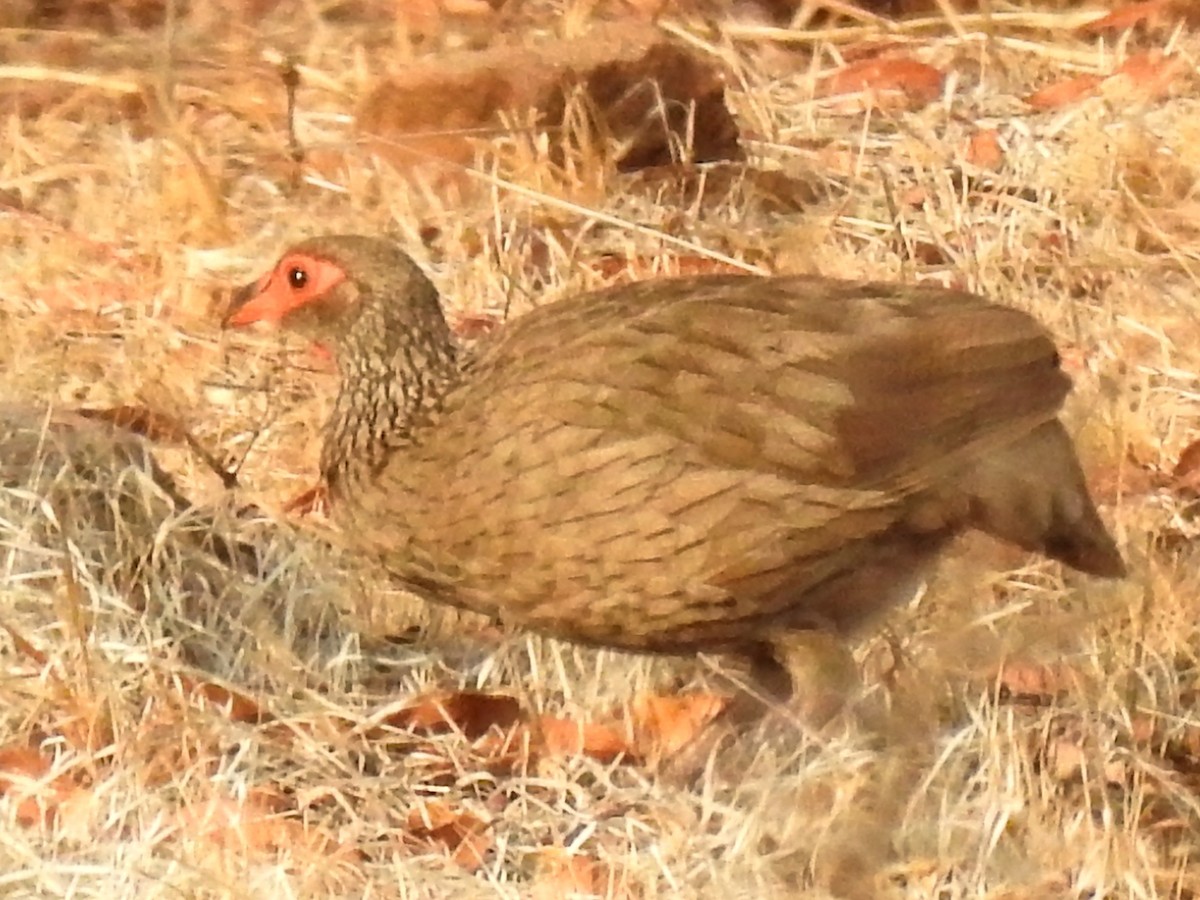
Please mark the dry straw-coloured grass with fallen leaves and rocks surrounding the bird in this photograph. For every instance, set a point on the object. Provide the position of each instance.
(212, 701)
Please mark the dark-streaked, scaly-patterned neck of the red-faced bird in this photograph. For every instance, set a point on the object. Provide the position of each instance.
(394, 377)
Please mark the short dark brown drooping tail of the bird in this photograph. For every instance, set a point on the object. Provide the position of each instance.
(1033, 494)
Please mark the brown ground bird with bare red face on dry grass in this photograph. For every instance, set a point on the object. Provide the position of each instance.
(710, 464)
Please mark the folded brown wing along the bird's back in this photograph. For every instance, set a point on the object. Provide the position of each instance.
(845, 385)
